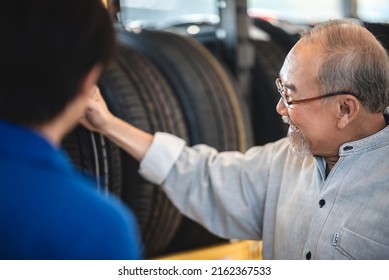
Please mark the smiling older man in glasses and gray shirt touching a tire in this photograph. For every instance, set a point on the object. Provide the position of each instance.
(322, 194)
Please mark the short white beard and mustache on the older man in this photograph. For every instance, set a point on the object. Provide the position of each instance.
(298, 145)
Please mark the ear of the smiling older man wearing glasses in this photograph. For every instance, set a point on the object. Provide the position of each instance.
(349, 107)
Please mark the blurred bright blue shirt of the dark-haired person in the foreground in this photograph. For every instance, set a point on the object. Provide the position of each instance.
(49, 211)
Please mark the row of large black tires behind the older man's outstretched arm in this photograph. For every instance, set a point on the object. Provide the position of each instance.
(160, 81)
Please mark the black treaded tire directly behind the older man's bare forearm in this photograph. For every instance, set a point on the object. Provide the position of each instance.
(136, 92)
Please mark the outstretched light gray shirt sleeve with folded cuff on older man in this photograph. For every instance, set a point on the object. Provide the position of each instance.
(225, 192)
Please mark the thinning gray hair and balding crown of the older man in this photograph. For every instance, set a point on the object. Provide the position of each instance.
(352, 60)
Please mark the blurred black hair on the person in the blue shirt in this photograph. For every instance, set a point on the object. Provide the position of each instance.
(48, 48)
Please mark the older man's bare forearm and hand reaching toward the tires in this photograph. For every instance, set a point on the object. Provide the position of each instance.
(98, 118)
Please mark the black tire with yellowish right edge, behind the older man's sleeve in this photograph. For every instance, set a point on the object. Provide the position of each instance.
(214, 112)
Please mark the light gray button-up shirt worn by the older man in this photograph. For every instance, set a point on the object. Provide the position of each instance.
(288, 202)
